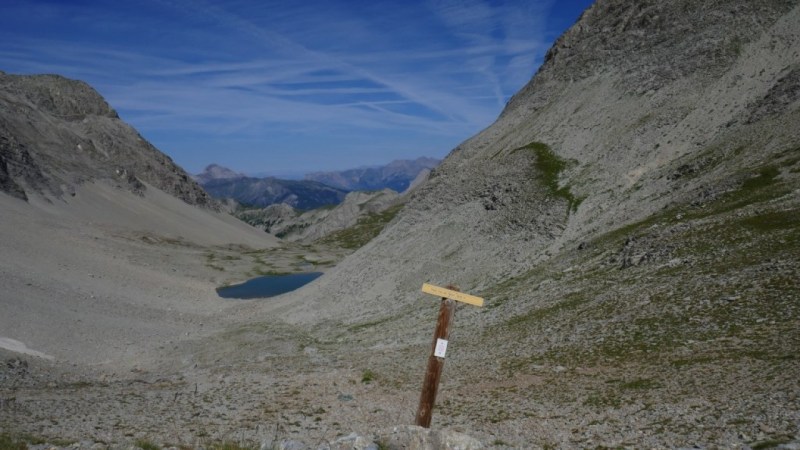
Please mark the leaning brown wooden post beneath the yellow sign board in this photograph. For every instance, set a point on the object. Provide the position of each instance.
(435, 364)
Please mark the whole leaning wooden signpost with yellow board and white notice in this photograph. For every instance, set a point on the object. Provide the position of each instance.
(439, 347)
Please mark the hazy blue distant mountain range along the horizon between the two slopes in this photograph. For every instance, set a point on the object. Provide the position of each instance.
(317, 190)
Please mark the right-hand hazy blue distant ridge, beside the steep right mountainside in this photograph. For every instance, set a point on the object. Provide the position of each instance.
(397, 175)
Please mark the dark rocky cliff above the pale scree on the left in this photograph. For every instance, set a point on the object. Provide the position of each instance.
(57, 133)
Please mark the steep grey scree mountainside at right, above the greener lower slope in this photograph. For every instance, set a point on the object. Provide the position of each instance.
(664, 120)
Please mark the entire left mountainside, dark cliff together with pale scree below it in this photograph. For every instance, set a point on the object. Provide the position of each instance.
(98, 229)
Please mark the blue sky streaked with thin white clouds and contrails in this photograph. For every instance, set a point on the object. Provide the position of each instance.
(290, 87)
